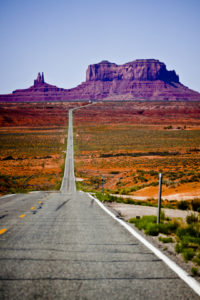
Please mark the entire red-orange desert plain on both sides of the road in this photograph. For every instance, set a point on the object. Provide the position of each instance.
(125, 143)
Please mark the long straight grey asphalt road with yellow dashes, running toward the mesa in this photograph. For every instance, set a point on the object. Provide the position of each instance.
(62, 245)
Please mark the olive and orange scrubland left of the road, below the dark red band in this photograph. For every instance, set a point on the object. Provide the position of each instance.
(31, 159)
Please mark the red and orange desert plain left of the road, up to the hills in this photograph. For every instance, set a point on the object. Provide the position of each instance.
(32, 140)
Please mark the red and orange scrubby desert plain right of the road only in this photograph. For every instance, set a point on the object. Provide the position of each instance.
(129, 143)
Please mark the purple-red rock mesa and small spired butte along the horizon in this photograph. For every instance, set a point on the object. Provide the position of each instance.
(142, 79)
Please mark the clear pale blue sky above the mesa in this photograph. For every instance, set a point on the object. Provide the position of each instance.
(62, 37)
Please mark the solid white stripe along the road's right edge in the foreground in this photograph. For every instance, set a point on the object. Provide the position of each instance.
(172, 265)
